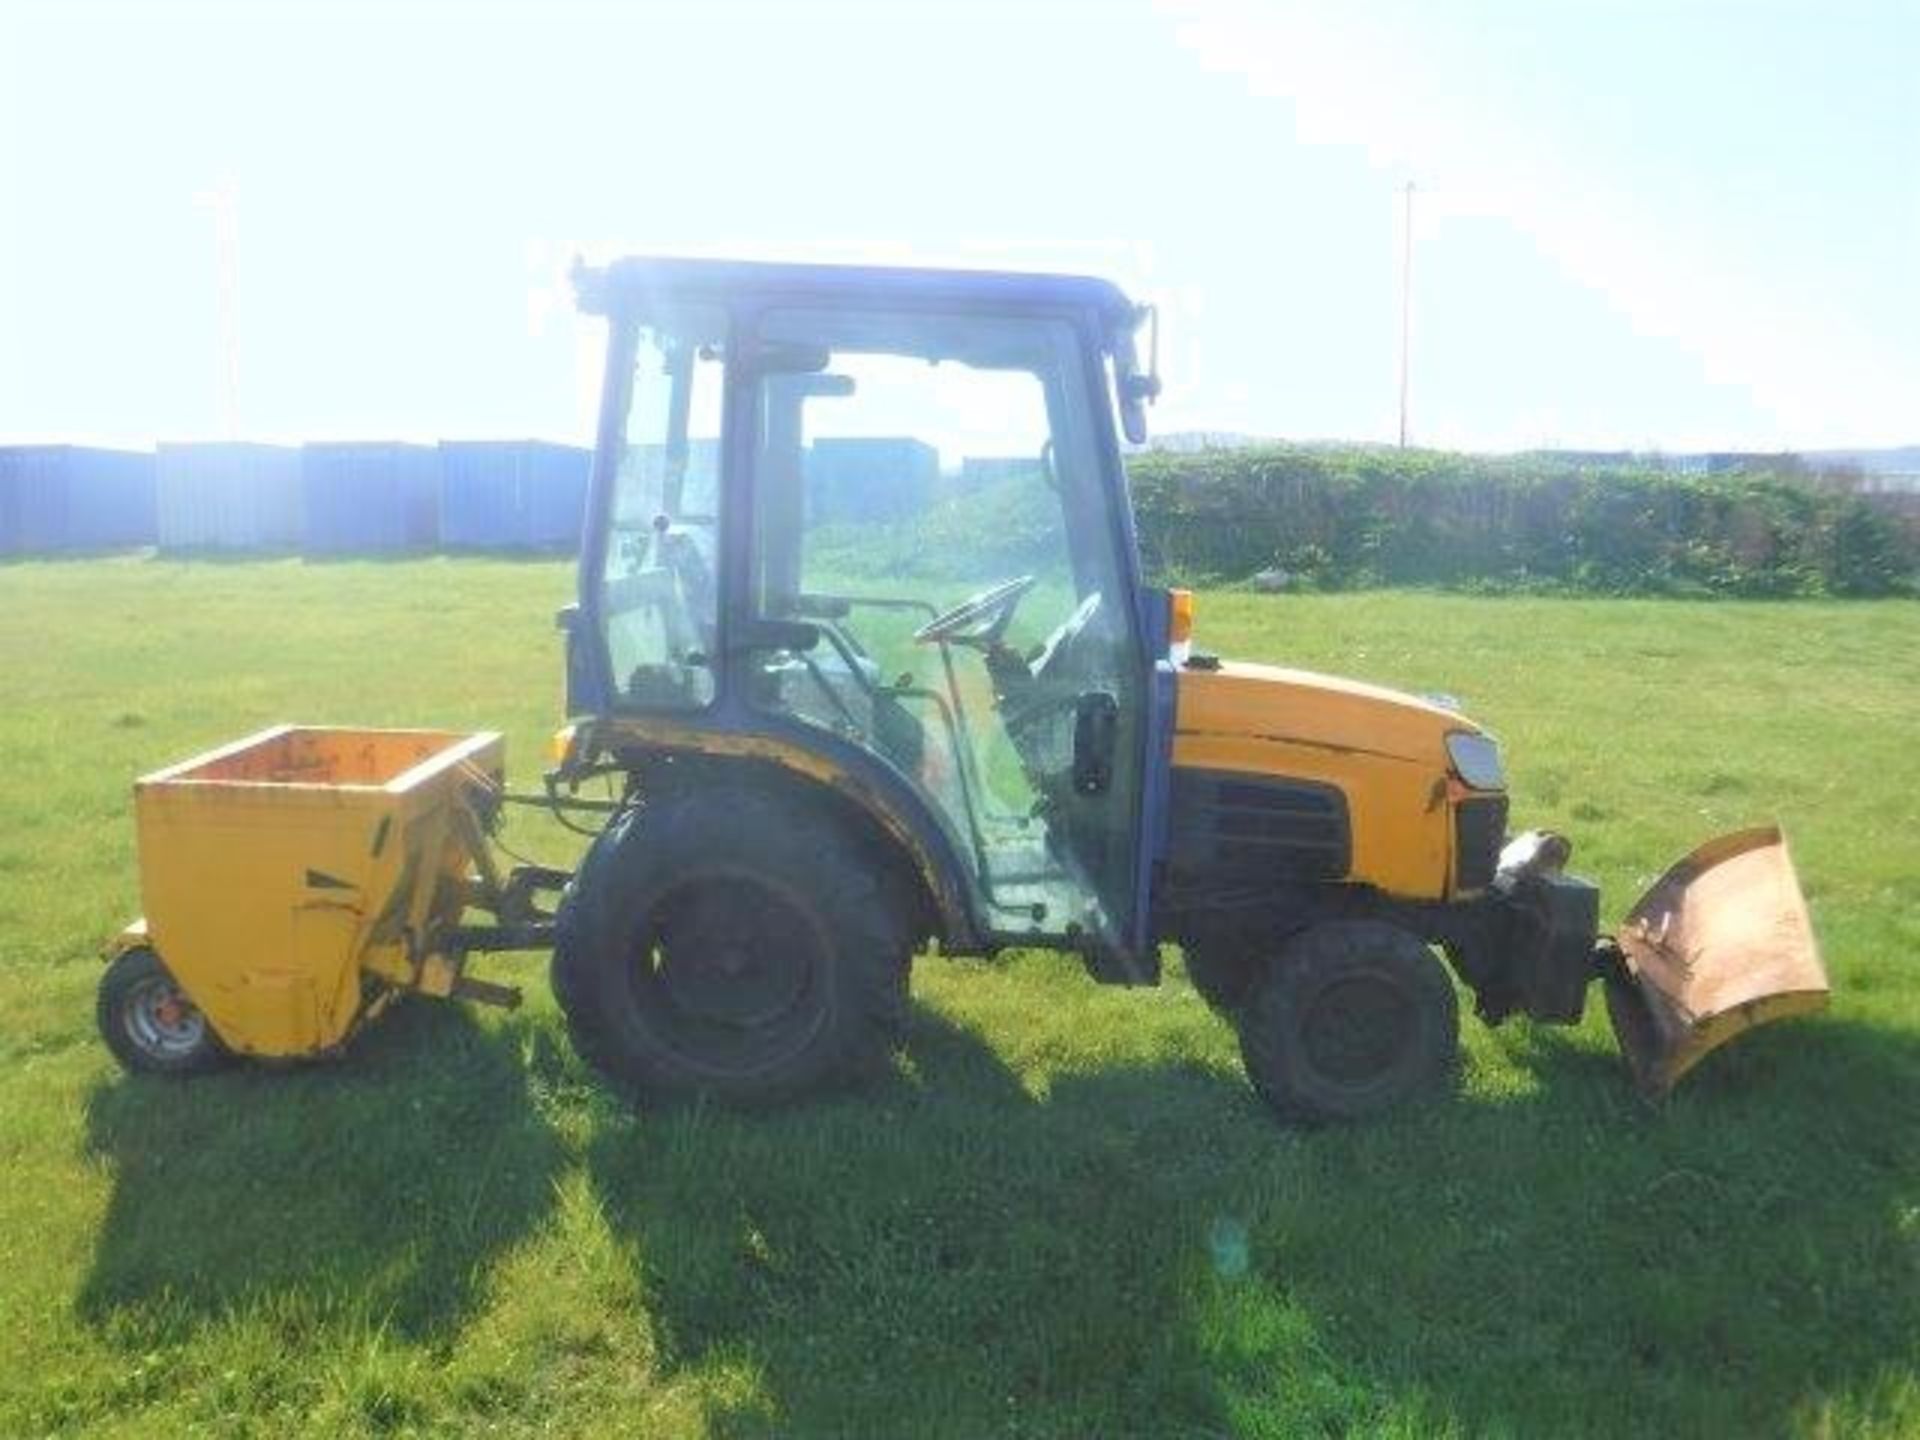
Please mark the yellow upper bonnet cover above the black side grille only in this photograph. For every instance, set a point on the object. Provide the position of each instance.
(1266, 702)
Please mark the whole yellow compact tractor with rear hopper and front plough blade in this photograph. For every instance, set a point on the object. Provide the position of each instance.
(865, 648)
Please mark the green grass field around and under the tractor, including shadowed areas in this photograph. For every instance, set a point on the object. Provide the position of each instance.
(1063, 1214)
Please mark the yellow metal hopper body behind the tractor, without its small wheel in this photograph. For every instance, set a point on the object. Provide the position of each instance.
(281, 869)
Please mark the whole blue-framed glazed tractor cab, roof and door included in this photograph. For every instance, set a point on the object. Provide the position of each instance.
(876, 521)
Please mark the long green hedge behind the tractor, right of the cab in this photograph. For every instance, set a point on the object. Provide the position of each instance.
(1337, 519)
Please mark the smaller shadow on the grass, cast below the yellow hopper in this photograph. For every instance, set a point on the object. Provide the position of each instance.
(373, 1188)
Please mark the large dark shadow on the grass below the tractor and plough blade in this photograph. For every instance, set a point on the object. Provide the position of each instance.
(1140, 1251)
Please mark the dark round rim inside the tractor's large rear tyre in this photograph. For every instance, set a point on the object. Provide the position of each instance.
(731, 974)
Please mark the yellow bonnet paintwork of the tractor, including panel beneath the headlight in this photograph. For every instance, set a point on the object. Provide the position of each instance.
(1385, 752)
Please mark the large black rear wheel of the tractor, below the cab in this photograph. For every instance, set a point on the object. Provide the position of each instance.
(731, 944)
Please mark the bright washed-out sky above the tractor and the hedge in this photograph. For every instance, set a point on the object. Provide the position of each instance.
(1654, 226)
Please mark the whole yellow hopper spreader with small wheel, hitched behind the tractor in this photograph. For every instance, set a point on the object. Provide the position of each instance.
(302, 878)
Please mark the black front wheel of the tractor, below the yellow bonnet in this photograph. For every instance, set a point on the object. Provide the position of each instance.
(1349, 1020)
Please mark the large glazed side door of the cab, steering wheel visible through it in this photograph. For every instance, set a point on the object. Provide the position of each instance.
(938, 567)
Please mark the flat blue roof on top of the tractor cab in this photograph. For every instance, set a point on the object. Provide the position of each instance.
(633, 281)
